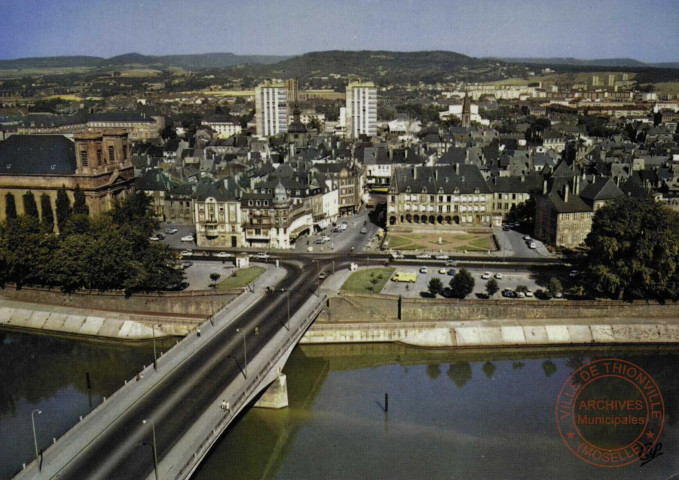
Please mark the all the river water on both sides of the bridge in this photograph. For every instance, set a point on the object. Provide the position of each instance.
(451, 415)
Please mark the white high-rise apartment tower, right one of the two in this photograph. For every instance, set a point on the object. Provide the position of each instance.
(361, 110)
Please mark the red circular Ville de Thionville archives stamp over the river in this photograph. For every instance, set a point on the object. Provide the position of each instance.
(610, 413)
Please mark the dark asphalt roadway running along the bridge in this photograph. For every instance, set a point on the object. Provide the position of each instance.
(124, 450)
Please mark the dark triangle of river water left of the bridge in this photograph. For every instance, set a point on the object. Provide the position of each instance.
(49, 374)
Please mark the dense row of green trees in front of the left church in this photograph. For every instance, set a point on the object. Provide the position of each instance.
(108, 252)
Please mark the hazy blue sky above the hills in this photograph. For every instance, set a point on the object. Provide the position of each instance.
(647, 30)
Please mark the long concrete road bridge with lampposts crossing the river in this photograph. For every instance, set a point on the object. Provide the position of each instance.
(163, 422)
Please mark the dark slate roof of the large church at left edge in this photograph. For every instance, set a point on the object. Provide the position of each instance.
(37, 155)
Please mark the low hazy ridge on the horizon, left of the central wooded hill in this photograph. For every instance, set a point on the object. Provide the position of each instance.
(189, 62)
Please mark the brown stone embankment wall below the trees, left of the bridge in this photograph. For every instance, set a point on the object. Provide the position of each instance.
(198, 303)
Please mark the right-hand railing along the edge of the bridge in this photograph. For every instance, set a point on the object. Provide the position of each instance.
(291, 339)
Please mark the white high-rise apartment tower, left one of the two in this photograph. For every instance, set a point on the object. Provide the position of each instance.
(271, 109)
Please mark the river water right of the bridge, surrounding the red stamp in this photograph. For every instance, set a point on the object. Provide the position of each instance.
(492, 415)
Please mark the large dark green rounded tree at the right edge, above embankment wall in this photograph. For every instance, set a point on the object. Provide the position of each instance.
(633, 251)
